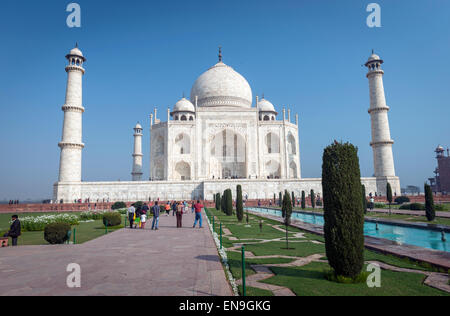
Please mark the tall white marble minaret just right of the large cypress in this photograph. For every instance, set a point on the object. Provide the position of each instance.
(381, 135)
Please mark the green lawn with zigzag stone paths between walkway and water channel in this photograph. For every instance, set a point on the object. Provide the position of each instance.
(310, 279)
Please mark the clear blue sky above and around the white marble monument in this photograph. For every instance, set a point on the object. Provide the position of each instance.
(305, 55)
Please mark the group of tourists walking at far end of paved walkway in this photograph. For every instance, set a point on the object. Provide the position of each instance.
(137, 216)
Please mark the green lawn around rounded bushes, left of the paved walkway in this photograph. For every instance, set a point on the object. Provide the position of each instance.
(84, 231)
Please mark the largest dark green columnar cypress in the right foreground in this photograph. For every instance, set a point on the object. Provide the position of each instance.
(343, 214)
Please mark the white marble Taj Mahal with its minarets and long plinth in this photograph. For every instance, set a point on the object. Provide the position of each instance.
(220, 137)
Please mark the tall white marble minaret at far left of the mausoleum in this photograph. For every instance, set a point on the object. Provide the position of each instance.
(71, 143)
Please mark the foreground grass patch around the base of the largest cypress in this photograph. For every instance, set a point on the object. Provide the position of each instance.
(309, 280)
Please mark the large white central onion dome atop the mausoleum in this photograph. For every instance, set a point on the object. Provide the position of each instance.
(222, 86)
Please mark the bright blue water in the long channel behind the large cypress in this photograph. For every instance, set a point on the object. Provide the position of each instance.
(403, 235)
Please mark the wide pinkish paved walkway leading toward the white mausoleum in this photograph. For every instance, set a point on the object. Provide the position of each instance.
(170, 261)
